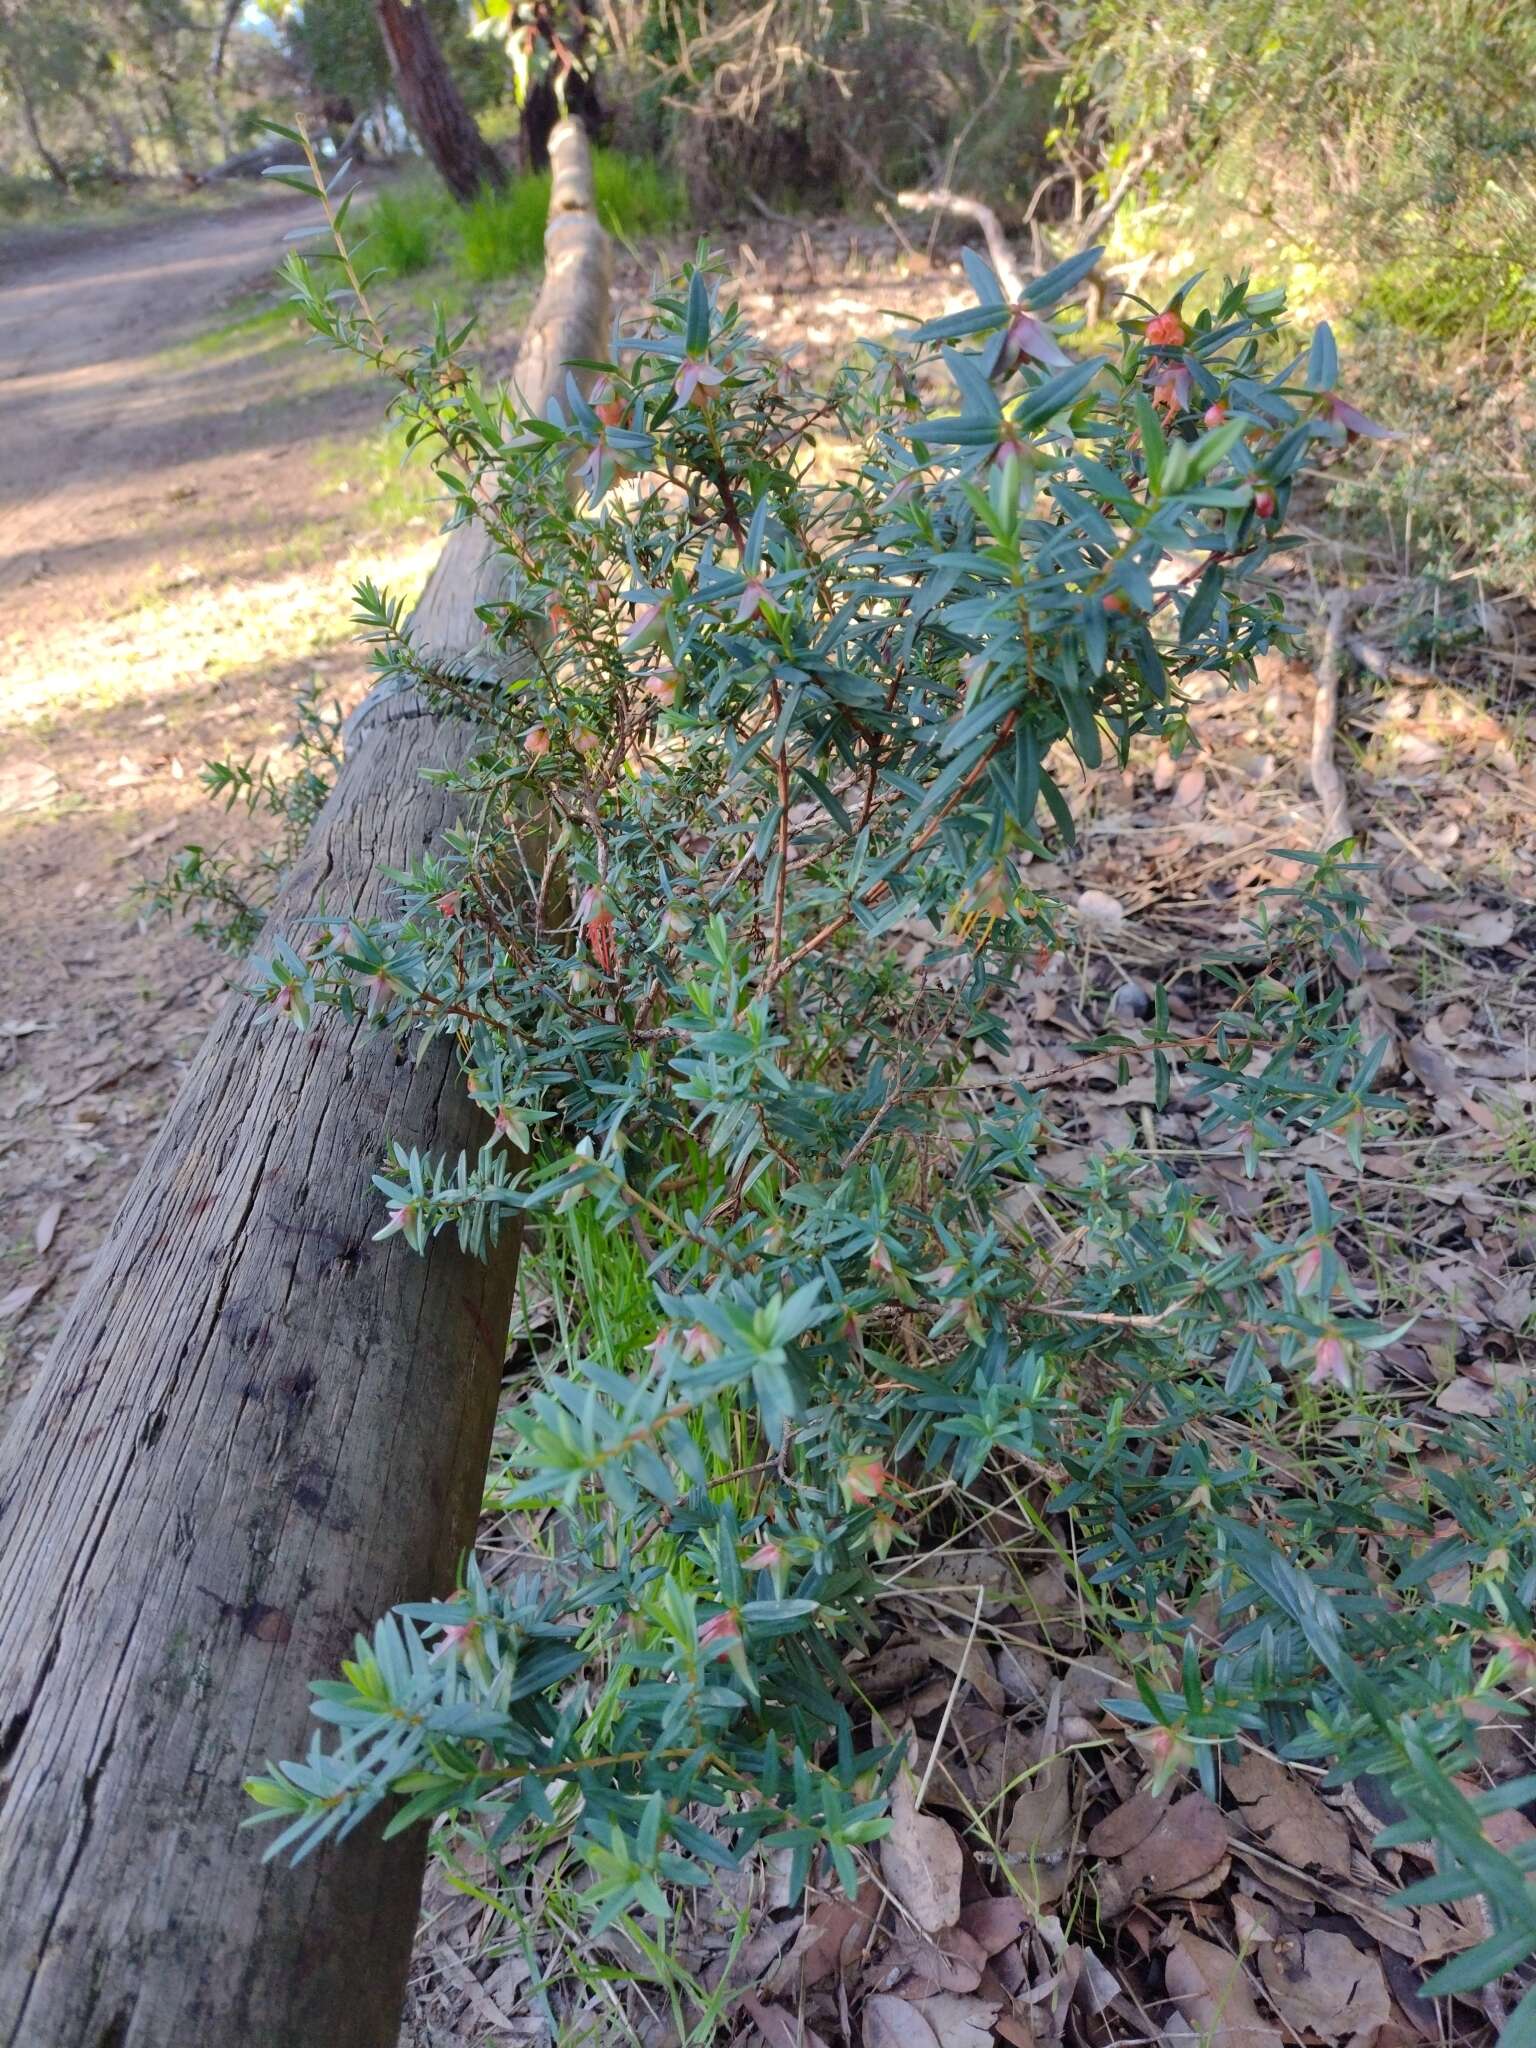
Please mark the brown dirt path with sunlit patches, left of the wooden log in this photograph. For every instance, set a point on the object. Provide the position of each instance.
(175, 558)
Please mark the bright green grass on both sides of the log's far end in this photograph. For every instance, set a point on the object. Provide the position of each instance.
(503, 234)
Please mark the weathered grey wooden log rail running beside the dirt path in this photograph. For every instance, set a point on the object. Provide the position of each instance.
(257, 1431)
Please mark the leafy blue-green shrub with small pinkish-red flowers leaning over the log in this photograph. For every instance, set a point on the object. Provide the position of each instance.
(785, 683)
